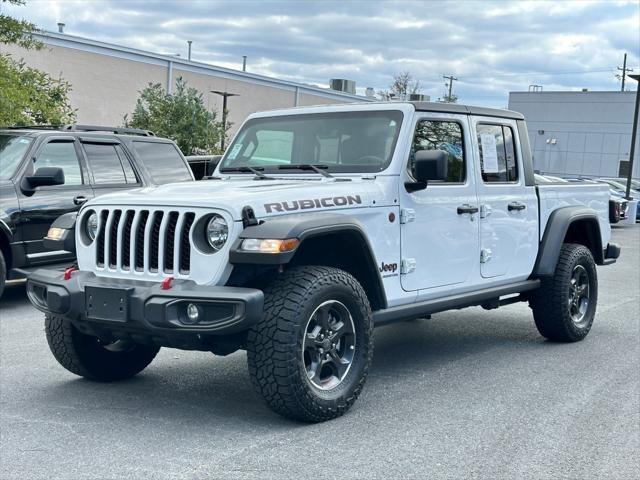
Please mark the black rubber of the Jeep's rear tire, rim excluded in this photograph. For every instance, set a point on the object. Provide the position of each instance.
(550, 303)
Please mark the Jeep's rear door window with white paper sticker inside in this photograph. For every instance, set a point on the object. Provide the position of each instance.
(497, 153)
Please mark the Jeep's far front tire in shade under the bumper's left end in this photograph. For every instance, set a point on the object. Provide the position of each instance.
(85, 356)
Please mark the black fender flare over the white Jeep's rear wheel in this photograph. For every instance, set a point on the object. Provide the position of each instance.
(555, 232)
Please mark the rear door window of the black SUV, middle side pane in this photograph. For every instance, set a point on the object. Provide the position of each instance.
(109, 164)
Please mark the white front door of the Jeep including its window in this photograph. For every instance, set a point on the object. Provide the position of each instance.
(439, 231)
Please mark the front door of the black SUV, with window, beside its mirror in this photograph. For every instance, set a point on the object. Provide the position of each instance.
(39, 208)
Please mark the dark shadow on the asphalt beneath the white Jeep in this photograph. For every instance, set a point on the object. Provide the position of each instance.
(213, 391)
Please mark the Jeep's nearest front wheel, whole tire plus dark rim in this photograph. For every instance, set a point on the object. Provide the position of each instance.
(310, 353)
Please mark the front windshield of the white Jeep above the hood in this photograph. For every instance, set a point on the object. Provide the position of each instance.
(344, 142)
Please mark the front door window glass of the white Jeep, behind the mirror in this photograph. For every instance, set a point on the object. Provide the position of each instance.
(441, 135)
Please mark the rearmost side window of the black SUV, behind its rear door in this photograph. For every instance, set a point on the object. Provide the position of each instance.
(163, 162)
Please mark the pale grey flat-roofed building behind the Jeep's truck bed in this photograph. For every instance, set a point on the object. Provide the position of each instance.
(579, 133)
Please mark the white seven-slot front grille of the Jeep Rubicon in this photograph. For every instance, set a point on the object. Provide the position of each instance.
(149, 241)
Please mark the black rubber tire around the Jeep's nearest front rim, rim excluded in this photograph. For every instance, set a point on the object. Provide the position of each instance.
(275, 343)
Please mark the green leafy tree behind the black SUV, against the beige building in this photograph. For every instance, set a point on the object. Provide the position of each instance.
(180, 116)
